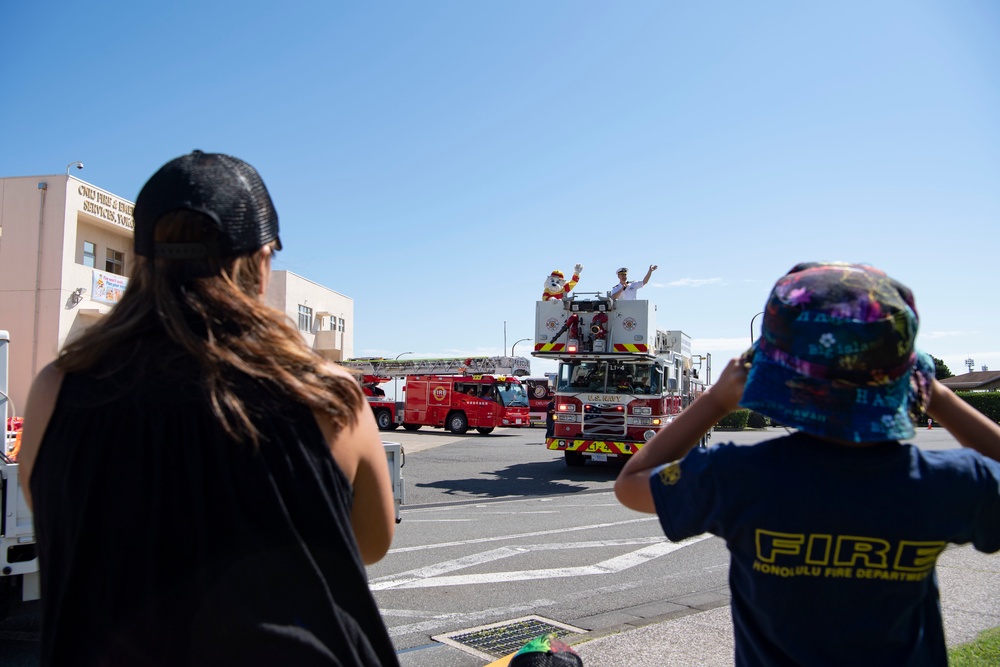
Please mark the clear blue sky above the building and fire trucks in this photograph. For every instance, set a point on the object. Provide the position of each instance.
(435, 161)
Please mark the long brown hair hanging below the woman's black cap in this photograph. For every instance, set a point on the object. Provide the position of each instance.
(211, 311)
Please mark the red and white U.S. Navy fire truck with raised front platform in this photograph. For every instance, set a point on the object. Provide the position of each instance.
(620, 379)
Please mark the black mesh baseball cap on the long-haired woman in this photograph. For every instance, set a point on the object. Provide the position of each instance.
(225, 189)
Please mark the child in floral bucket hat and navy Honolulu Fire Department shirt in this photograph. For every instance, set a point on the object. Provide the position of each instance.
(833, 530)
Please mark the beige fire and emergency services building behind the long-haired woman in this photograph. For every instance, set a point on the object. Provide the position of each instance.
(65, 257)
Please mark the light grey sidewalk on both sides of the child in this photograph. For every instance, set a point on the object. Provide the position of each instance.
(969, 582)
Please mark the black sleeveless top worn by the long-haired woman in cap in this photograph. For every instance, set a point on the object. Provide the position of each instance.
(162, 541)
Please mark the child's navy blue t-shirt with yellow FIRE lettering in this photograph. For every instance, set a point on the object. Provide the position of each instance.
(832, 547)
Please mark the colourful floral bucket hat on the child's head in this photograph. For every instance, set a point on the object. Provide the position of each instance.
(836, 355)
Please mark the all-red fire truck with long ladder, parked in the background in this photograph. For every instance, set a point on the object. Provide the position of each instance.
(455, 393)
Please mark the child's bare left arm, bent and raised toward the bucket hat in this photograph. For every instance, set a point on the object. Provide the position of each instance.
(677, 439)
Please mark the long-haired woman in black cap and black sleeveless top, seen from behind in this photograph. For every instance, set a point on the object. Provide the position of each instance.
(206, 489)
